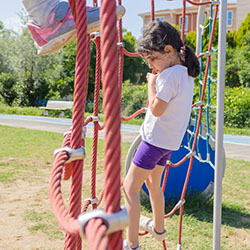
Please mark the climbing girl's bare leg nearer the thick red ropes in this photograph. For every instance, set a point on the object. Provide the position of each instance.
(132, 185)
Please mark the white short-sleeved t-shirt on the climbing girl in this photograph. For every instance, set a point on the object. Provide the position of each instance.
(174, 86)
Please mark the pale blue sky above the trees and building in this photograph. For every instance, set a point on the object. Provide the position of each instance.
(131, 21)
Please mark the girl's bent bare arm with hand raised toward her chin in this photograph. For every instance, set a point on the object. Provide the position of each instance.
(156, 105)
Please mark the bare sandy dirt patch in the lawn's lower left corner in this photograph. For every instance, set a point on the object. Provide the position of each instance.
(15, 200)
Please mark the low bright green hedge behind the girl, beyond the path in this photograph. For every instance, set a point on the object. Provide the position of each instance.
(237, 103)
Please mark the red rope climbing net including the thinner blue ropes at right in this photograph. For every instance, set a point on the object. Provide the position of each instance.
(112, 70)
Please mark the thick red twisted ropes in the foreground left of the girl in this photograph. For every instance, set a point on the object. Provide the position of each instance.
(74, 139)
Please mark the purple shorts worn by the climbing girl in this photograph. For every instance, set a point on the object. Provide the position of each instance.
(147, 156)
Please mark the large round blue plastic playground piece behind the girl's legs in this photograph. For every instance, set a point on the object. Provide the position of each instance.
(201, 179)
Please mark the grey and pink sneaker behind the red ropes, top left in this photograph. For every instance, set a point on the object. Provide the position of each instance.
(61, 30)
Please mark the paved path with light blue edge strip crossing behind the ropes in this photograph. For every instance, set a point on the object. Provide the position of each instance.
(236, 147)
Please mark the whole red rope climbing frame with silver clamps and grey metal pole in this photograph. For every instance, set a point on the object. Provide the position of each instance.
(103, 229)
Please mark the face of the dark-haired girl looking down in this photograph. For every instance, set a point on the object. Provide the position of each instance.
(158, 61)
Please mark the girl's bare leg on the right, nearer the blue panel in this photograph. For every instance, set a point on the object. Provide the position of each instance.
(157, 199)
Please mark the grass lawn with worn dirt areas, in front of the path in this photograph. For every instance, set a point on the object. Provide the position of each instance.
(26, 220)
